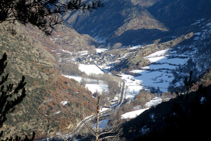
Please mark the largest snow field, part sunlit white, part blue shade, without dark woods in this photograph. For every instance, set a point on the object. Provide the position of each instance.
(157, 75)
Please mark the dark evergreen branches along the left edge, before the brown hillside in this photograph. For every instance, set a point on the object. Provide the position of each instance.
(10, 96)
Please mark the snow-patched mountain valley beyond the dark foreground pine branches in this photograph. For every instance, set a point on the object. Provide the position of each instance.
(135, 54)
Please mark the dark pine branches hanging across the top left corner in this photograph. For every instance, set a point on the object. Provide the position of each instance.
(43, 14)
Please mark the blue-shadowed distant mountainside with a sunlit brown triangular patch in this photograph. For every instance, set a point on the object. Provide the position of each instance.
(133, 22)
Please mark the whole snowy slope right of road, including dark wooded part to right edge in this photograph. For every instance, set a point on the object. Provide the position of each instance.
(169, 67)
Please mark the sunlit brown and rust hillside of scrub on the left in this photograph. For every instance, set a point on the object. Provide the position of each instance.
(43, 110)
